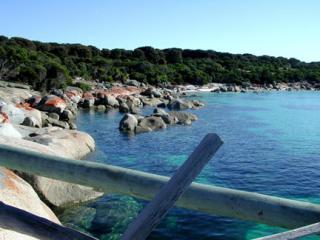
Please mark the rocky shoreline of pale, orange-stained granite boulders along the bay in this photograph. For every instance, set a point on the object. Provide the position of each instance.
(45, 123)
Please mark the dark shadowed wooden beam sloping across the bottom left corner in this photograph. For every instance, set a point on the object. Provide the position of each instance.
(21, 221)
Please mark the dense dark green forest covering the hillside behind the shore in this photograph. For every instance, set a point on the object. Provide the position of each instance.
(53, 65)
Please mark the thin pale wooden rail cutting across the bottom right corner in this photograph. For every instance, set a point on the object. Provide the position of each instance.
(295, 233)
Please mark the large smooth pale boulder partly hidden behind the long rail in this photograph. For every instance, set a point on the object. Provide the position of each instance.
(57, 142)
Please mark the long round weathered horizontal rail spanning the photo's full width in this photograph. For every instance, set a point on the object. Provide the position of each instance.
(256, 207)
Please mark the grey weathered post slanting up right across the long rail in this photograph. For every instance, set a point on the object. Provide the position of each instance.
(152, 214)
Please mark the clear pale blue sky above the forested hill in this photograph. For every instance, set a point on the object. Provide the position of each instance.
(289, 28)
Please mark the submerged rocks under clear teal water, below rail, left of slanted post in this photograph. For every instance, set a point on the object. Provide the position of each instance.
(107, 218)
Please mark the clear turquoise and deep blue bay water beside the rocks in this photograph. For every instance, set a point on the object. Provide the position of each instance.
(271, 146)
